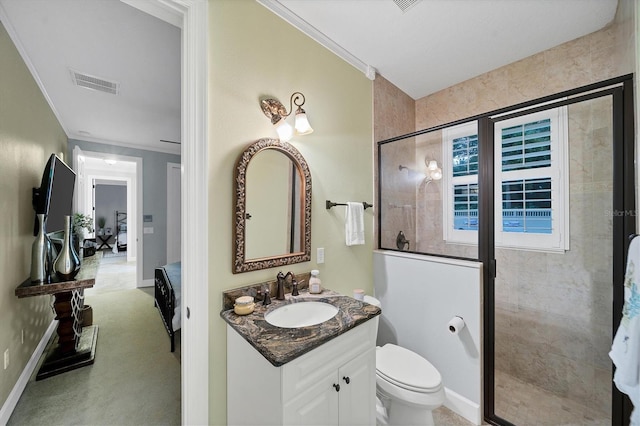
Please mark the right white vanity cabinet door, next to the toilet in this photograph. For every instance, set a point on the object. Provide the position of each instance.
(358, 390)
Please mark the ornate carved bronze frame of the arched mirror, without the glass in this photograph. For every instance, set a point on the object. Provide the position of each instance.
(240, 263)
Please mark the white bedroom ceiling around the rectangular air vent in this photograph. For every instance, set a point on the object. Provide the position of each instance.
(112, 41)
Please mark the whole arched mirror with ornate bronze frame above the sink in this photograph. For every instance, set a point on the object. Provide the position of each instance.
(272, 207)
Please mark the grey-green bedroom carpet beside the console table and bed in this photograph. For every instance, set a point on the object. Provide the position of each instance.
(135, 380)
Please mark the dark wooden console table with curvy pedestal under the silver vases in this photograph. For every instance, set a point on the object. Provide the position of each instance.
(73, 346)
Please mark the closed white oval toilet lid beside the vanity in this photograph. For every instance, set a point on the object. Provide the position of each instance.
(406, 369)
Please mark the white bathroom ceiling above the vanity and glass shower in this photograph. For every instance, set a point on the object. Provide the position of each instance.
(435, 44)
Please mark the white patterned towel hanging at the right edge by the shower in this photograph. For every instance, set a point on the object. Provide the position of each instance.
(625, 350)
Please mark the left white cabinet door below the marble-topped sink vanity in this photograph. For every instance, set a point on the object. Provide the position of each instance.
(316, 406)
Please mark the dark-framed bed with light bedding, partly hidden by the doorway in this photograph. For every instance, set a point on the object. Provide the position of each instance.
(167, 295)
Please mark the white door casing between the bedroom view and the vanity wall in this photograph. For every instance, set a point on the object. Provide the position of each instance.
(192, 16)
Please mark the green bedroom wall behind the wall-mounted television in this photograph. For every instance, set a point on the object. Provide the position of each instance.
(29, 134)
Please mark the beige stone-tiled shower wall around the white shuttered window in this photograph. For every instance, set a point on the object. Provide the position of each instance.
(568, 324)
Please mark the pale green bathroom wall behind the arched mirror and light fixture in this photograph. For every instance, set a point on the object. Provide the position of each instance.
(254, 53)
